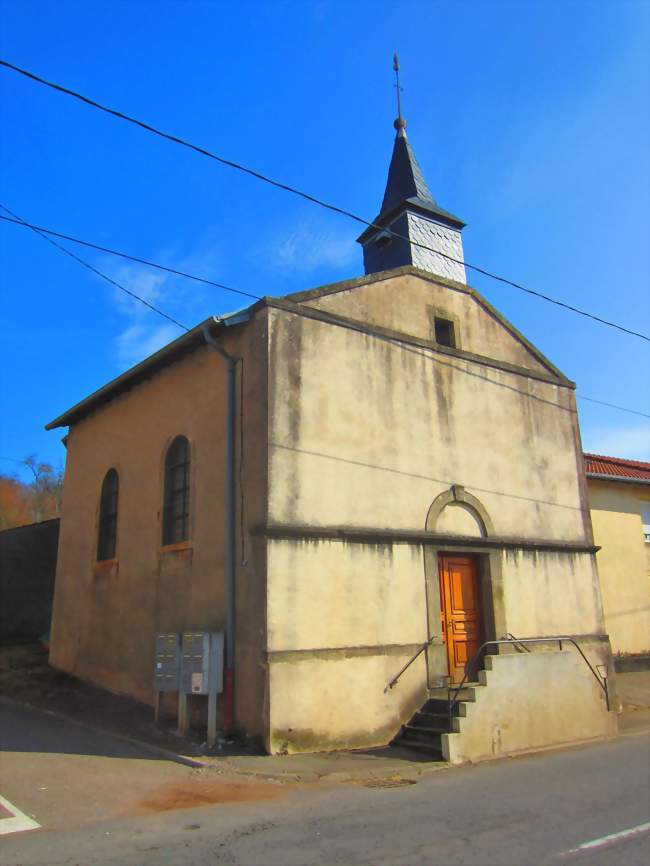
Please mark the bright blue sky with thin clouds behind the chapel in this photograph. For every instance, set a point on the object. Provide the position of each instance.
(530, 120)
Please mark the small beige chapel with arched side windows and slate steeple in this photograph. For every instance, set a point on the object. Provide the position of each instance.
(361, 485)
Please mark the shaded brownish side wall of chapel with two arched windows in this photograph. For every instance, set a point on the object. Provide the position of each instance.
(106, 616)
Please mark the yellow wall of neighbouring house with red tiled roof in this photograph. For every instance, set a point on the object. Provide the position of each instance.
(623, 562)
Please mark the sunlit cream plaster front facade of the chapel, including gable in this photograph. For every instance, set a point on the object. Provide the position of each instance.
(366, 432)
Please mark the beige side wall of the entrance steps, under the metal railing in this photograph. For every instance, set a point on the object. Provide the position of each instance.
(530, 701)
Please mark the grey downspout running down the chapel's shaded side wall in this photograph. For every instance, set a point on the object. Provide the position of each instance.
(231, 540)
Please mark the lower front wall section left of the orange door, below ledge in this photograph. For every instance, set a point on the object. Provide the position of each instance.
(342, 620)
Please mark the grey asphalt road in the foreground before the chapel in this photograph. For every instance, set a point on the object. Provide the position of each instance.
(520, 812)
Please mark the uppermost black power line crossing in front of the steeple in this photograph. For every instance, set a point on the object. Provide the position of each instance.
(313, 199)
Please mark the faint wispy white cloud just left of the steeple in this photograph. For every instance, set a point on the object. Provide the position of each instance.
(308, 245)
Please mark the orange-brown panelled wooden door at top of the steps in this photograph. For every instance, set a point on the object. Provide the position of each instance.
(460, 602)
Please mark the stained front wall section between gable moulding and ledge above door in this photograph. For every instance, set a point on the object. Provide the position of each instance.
(366, 432)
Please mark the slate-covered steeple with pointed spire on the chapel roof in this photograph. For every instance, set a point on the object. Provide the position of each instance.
(409, 210)
